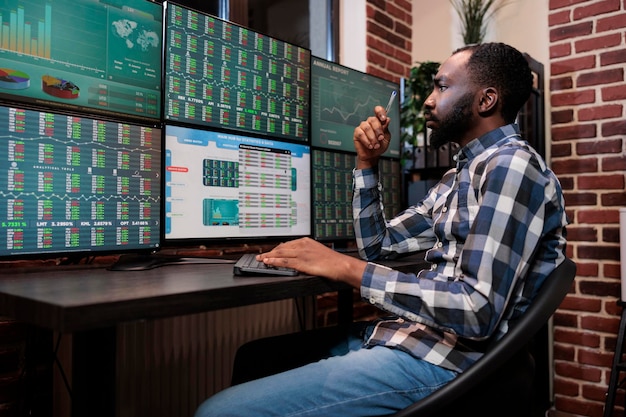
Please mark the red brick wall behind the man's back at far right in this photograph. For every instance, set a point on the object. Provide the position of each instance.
(588, 100)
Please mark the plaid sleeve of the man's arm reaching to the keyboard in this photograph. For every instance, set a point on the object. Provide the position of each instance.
(506, 207)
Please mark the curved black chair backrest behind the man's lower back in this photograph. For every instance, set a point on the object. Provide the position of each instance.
(548, 299)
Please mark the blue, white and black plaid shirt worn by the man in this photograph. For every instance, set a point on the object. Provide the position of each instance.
(494, 227)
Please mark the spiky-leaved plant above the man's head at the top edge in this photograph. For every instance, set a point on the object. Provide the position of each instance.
(474, 15)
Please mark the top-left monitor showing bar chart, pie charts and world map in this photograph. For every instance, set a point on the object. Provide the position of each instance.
(92, 56)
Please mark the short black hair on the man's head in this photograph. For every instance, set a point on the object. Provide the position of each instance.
(496, 64)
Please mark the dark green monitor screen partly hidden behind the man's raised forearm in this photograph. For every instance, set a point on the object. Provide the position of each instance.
(332, 192)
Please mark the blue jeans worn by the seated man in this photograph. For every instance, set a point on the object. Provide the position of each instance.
(359, 382)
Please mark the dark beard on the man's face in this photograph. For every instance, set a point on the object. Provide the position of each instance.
(453, 126)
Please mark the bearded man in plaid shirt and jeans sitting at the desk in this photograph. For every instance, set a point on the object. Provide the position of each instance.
(494, 229)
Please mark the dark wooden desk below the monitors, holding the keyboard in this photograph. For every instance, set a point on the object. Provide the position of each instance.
(90, 302)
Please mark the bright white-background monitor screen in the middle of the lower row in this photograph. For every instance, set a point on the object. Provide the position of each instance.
(222, 185)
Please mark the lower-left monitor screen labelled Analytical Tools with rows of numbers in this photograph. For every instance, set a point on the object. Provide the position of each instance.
(74, 185)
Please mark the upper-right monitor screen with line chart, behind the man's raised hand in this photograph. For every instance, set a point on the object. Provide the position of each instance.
(341, 98)
